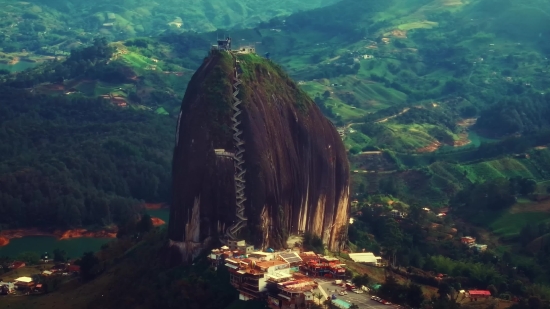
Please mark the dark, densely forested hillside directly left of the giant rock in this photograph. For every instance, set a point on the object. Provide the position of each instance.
(76, 161)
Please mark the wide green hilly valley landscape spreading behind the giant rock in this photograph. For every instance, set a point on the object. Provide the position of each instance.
(439, 103)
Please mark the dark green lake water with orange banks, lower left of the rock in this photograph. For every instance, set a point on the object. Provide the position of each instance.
(74, 247)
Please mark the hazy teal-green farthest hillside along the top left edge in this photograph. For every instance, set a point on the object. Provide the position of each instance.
(59, 25)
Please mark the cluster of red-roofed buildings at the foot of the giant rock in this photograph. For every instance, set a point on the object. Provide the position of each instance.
(282, 278)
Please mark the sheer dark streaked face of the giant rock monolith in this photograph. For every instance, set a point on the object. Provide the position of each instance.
(297, 173)
